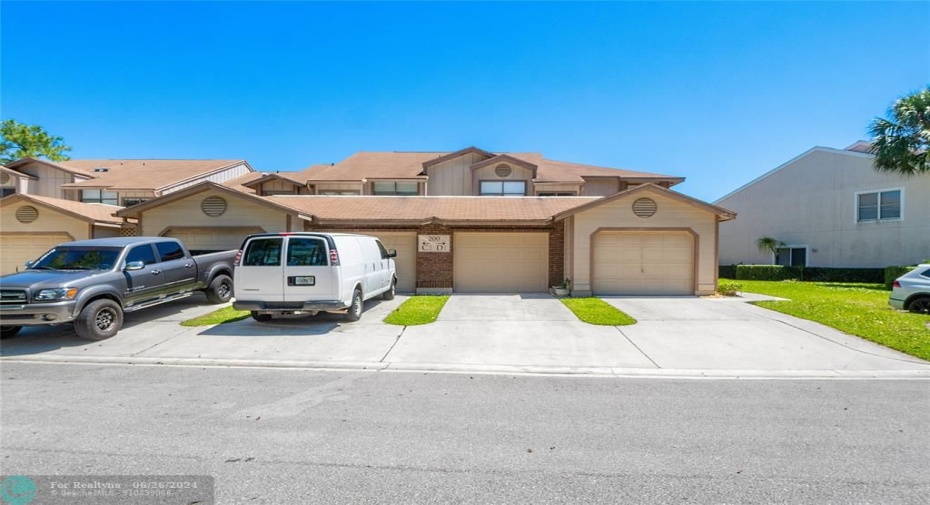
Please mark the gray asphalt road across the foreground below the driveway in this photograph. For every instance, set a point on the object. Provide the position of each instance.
(298, 436)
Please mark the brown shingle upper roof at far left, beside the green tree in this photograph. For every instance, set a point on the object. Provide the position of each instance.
(142, 174)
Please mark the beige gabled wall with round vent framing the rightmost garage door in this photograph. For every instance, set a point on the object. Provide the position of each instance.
(618, 214)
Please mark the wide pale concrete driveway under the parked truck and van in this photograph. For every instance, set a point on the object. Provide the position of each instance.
(494, 333)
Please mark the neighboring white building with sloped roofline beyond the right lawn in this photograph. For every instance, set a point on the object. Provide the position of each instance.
(830, 208)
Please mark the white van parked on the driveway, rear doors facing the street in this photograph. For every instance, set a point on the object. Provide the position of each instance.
(293, 273)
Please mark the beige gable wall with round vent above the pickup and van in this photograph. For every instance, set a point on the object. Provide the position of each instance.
(186, 212)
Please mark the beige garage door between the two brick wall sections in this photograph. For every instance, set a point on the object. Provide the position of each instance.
(500, 262)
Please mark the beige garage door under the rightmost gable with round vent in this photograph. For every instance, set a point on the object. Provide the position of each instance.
(643, 263)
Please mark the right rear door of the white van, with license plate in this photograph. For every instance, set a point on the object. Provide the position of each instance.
(307, 271)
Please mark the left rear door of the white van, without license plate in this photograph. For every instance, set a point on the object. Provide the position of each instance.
(258, 277)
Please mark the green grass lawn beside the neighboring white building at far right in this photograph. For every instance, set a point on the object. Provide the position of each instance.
(857, 309)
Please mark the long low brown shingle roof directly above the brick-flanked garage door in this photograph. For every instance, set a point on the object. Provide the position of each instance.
(425, 208)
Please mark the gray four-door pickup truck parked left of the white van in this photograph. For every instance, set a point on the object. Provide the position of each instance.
(93, 282)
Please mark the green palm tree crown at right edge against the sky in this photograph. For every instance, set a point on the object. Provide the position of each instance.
(900, 143)
